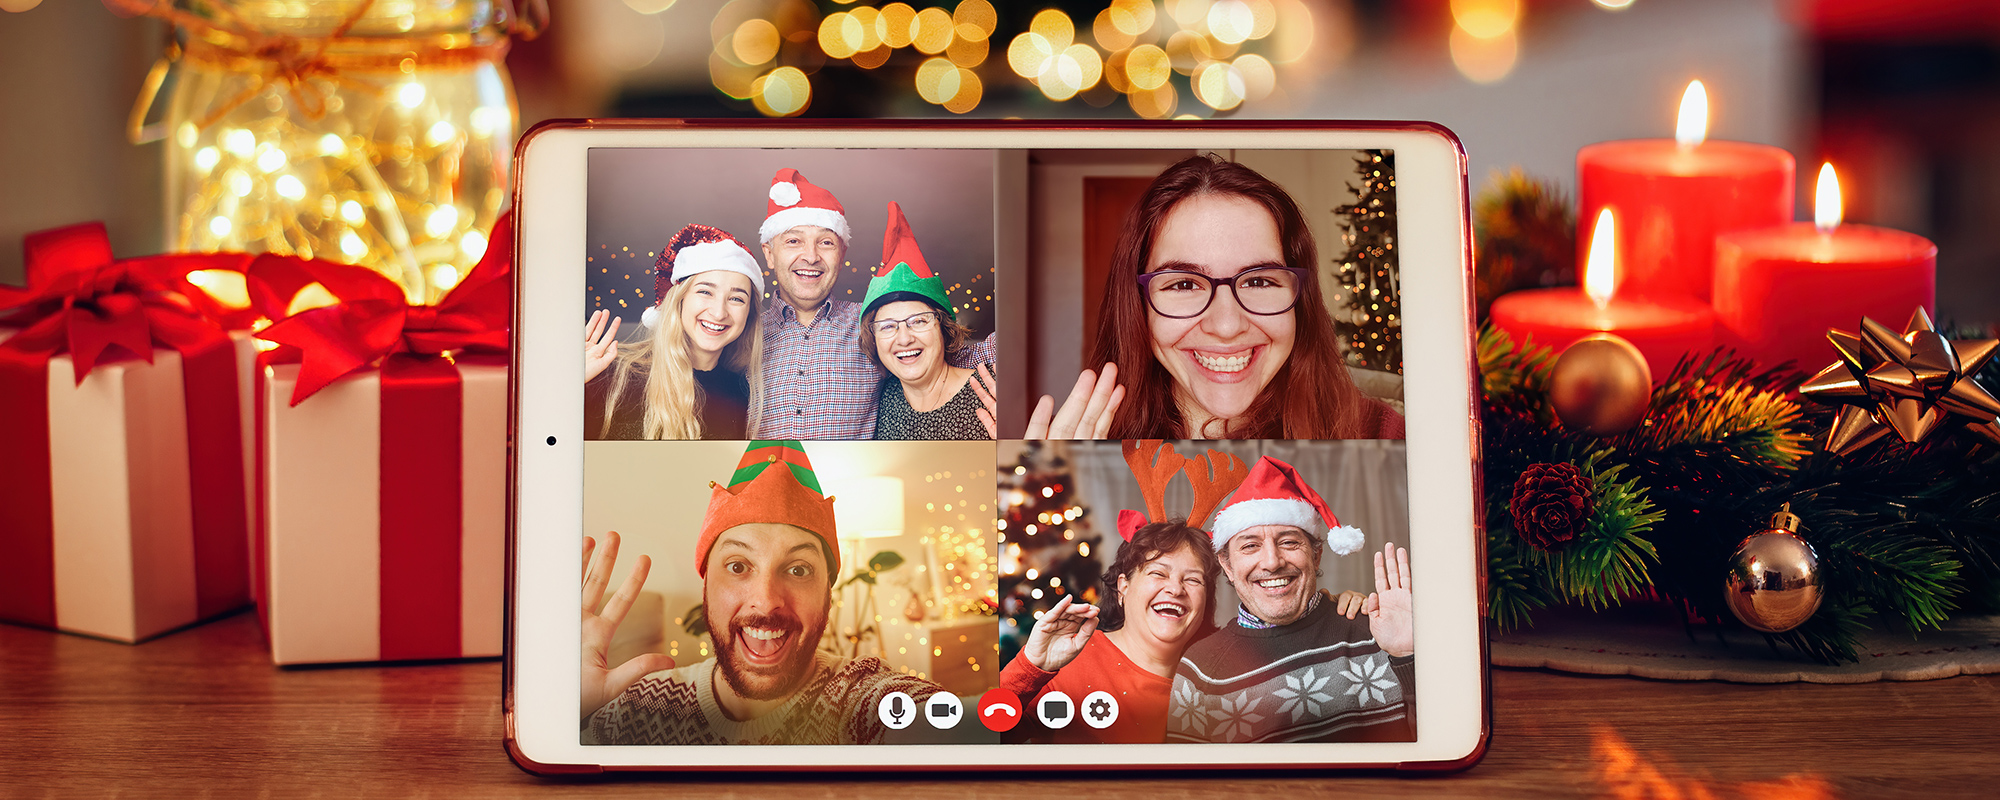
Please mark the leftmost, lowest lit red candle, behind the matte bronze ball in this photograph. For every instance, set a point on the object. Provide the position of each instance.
(1661, 327)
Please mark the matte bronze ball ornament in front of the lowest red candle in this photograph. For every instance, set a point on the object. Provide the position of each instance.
(1601, 385)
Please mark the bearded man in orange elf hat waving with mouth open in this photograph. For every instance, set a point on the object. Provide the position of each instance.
(767, 557)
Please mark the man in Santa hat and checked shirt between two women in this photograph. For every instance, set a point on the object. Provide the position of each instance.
(817, 379)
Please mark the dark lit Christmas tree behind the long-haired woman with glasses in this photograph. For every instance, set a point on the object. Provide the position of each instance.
(1371, 327)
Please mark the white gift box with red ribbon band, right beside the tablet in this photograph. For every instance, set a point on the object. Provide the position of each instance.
(383, 521)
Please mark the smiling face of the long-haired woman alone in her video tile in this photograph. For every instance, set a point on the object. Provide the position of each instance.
(1225, 357)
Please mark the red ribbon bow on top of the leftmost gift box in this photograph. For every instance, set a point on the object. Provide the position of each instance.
(99, 309)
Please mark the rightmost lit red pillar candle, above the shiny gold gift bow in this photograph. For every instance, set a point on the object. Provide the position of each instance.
(1781, 289)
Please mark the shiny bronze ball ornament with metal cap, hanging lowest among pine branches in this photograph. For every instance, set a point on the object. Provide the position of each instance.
(1775, 577)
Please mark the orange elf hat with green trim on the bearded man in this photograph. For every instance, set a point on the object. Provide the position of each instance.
(773, 483)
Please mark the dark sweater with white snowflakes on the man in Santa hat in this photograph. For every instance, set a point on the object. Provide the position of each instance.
(1321, 679)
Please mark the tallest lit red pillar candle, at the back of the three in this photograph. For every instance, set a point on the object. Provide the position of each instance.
(1677, 195)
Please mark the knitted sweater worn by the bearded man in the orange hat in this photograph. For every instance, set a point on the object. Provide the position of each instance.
(679, 707)
